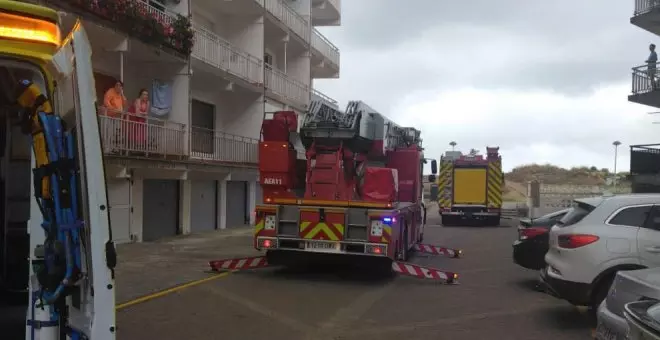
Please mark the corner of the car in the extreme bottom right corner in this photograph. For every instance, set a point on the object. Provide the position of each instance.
(643, 320)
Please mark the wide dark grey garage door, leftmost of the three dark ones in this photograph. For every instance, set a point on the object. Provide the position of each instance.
(161, 209)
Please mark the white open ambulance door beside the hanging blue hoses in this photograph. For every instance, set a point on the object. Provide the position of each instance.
(75, 101)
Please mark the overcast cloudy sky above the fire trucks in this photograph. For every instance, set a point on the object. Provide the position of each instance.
(547, 81)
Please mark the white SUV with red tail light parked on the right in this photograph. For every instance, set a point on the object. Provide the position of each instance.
(598, 237)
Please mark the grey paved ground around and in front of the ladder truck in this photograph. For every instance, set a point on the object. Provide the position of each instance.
(495, 297)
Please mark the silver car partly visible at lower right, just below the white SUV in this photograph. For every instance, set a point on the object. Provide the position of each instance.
(628, 286)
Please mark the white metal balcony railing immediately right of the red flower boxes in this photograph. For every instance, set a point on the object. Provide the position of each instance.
(215, 51)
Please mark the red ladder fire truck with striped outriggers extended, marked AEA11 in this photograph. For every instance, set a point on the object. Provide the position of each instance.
(357, 195)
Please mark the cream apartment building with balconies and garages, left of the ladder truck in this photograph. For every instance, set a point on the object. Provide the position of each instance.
(212, 69)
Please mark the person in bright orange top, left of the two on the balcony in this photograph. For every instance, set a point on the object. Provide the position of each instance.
(114, 102)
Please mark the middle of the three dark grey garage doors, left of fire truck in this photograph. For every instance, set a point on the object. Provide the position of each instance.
(203, 206)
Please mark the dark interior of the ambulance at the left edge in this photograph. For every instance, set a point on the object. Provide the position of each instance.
(15, 199)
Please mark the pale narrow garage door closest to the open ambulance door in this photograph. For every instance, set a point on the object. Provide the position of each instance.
(119, 201)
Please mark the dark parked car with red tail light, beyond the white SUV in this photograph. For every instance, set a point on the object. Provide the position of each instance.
(533, 240)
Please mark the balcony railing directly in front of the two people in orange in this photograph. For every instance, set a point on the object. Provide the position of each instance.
(131, 135)
